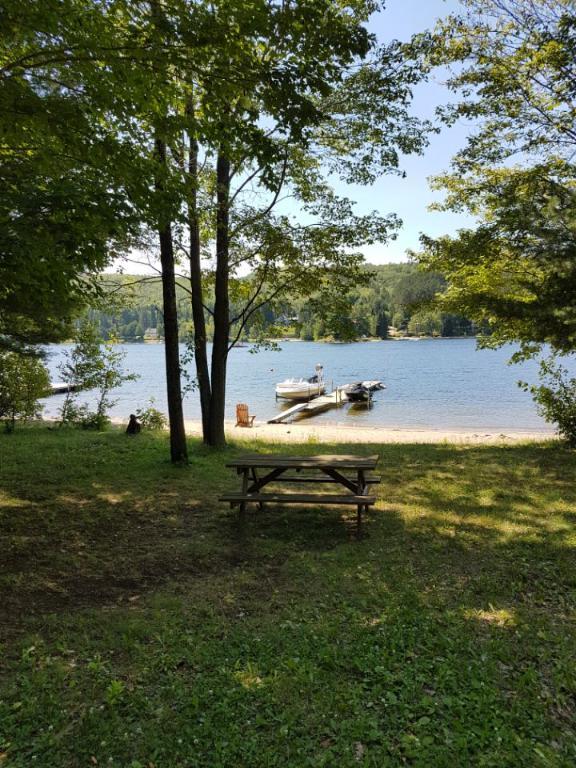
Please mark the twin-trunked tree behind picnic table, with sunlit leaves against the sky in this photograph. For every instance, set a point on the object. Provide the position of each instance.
(313, 107)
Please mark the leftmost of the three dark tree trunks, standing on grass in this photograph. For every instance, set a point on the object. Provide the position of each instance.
(178, 448)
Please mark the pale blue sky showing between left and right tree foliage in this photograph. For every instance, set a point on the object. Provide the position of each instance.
(410, 197)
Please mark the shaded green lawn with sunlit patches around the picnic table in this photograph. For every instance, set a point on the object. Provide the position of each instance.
(141, 628)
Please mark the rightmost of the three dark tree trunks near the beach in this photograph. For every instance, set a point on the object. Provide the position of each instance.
(216, 435)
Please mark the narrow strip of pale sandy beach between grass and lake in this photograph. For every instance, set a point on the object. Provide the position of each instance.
(337, 433)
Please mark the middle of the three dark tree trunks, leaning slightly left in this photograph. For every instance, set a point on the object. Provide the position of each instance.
(200, 352)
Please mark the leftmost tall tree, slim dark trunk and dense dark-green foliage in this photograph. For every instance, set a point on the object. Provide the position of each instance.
(84, 135)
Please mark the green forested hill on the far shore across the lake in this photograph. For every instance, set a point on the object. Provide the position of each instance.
(392, 303)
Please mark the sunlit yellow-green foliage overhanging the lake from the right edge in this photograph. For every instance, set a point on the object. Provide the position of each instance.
(514, 73)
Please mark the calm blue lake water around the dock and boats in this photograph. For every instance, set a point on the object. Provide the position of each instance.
(430, 383)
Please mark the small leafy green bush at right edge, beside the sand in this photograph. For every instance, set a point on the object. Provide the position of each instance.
(556, 398)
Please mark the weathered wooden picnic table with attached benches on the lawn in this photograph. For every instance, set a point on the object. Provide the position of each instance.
(350, 472)
